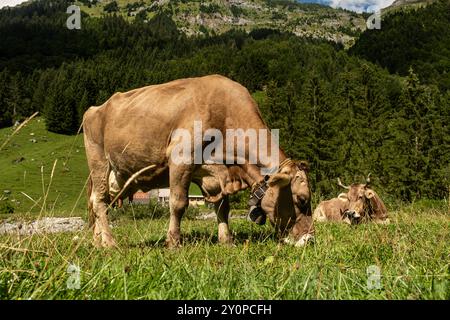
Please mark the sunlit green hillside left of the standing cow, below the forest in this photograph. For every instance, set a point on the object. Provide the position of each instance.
(27, 163)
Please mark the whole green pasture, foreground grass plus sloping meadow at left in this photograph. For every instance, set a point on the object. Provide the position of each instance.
(412, 253)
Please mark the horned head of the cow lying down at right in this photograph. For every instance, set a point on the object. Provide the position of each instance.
(359, 198)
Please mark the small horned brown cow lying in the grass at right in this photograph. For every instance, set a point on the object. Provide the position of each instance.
(360, 203)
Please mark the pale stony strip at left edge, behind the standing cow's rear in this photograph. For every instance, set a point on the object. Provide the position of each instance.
(43, 225)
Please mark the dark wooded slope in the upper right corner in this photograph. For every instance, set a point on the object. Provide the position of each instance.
(413, 38)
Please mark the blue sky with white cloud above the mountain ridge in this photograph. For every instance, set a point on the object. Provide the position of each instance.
(355, 5)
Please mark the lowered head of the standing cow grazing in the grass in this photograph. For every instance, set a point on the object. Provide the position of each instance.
(287, 202)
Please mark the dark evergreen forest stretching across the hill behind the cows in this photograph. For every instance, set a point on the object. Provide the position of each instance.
(343, 114)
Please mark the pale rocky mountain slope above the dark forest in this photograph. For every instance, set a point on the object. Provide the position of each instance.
(218, 16)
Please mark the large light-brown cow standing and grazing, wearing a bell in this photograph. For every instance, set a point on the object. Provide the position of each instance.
(132, 135)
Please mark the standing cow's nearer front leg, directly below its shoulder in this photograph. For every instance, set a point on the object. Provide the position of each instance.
(179, 178)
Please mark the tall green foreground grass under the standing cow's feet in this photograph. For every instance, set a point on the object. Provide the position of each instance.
(412, 253)
